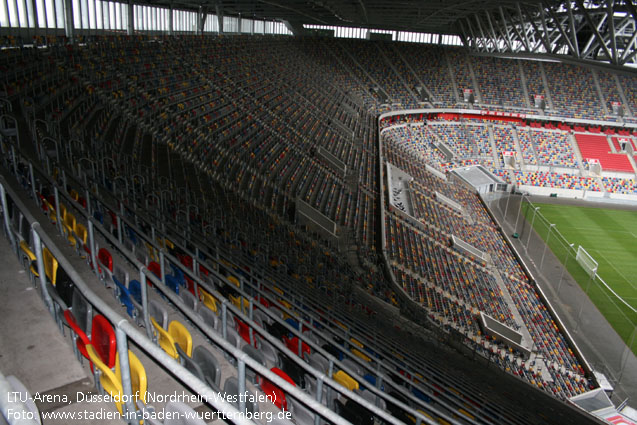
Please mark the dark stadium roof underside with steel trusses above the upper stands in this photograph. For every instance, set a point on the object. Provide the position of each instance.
(602, 30)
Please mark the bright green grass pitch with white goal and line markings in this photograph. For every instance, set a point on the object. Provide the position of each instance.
(610, 237)
